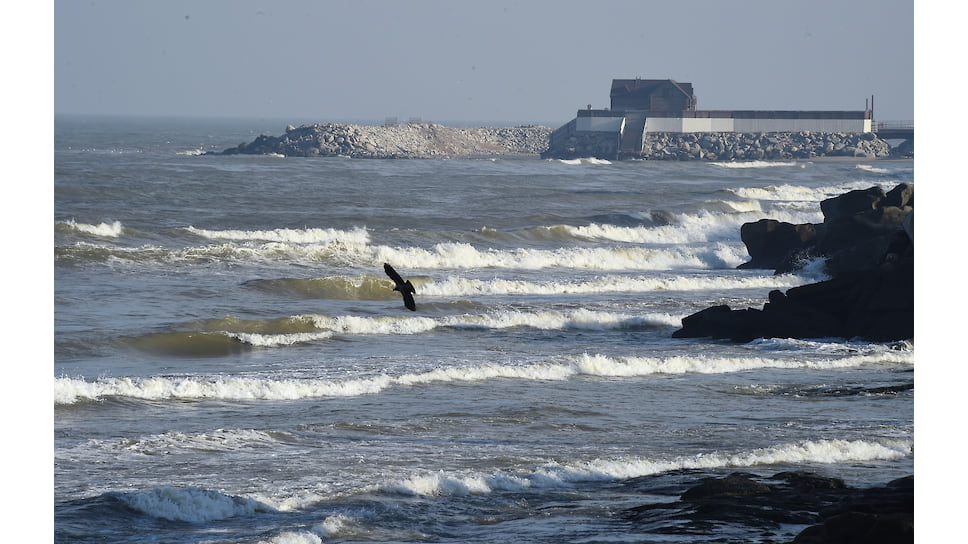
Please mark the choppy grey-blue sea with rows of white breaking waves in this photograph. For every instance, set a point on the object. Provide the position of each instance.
(231, 365)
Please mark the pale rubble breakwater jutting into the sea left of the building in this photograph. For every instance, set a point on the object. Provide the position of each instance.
(410, 141)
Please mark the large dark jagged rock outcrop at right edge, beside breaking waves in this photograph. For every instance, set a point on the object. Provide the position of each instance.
(867, 243)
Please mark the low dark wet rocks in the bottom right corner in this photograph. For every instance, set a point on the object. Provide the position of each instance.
(833, 511)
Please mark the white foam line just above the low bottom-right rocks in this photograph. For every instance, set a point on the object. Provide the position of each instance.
(565, 475)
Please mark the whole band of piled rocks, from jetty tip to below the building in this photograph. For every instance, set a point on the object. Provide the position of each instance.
(432, 140)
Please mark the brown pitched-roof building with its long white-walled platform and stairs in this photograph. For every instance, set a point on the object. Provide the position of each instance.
(640, 107)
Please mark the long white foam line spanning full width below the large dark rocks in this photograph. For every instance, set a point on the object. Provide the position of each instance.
(69, 390)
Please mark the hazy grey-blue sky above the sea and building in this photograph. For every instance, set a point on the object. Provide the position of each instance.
(474, 61)
